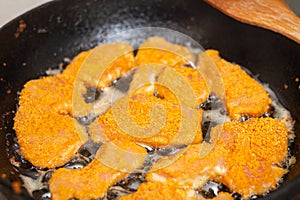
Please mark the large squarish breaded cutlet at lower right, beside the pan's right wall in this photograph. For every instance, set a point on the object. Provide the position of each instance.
(256, 149)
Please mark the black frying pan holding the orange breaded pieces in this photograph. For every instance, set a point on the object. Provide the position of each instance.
(61, 29)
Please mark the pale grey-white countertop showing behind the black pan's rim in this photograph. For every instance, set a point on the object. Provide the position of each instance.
(9, 9)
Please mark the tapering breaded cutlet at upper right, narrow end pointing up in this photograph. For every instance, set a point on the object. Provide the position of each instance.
(244, 96)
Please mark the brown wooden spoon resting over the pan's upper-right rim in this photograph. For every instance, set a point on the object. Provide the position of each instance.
(271, 14)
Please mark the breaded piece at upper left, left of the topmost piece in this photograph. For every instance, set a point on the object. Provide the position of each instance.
(117, 56)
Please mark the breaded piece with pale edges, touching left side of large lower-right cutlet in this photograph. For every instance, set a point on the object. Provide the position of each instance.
(189, 170)
